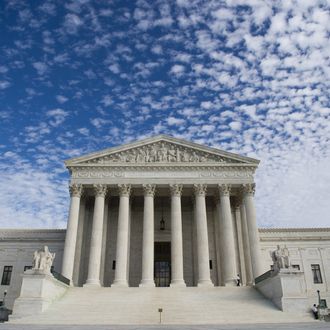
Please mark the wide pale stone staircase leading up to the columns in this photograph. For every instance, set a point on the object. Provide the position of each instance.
(192, 305)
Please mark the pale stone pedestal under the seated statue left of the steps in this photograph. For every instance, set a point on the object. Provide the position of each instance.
(39, 289)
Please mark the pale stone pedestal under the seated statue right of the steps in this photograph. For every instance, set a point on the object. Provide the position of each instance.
(286, 289)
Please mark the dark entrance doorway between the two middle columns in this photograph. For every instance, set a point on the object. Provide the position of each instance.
(162, 268)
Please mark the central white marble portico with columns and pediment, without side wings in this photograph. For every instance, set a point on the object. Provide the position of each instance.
(120, 195)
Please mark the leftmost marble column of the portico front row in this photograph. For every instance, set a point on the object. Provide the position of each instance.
(71, 232)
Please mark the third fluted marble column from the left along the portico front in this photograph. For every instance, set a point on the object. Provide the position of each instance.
(122, 237)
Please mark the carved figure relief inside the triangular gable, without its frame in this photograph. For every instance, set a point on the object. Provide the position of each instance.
(160, 152)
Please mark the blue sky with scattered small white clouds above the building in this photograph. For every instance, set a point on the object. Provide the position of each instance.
(250, 77)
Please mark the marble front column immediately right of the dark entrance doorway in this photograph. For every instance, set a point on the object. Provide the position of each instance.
(176, 236)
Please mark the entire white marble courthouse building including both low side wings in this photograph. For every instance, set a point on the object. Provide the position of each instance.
(165, 212)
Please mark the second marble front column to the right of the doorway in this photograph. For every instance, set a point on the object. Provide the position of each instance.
(204, 278)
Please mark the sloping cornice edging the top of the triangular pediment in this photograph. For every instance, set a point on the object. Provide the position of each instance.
(100, 153)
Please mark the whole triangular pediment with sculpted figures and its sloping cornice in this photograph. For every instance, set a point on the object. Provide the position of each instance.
(158, 150)
